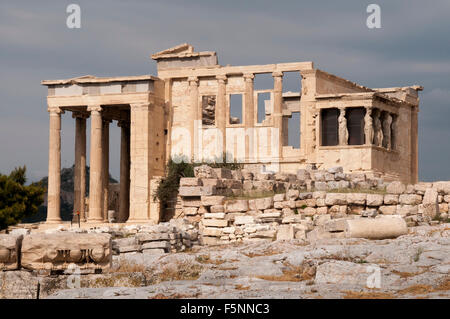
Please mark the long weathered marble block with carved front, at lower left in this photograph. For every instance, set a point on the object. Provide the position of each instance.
(58, 251)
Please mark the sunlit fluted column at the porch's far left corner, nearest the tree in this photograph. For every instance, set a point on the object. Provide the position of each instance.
(54, 167)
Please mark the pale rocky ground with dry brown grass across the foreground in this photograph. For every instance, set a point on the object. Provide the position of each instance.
(416, 265)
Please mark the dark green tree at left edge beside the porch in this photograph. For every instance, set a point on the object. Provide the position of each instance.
(17, 200)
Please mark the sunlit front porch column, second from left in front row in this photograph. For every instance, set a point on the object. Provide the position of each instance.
(95, 178)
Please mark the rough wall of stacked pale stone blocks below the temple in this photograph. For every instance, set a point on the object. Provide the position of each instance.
(232, 206)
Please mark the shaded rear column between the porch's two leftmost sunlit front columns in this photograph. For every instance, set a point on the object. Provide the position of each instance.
(80, 166)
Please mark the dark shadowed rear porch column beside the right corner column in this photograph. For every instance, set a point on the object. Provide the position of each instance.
(124, 195)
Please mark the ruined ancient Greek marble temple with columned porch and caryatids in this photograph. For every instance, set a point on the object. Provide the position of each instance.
(198, 110)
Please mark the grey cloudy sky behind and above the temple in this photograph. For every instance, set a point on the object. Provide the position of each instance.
(117, 37)
